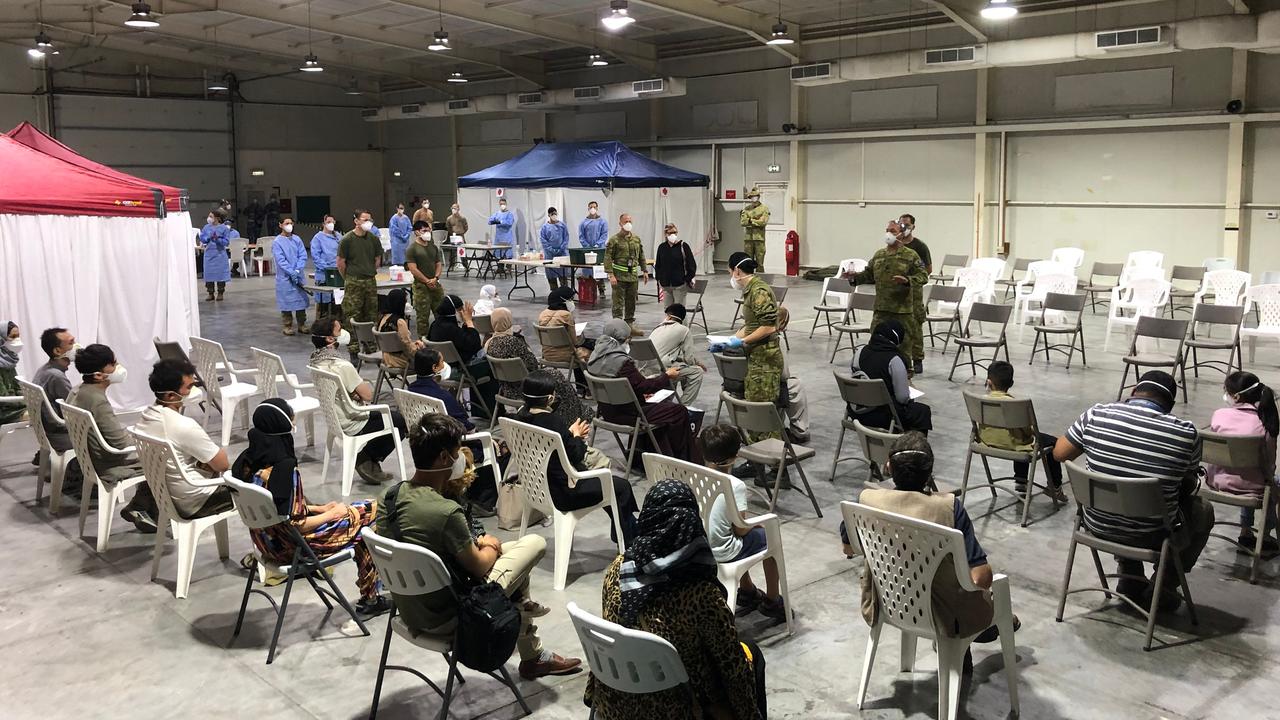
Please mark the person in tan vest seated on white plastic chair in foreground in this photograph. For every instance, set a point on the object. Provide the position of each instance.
(962, 613)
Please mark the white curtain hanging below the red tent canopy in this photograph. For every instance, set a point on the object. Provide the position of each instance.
(117, 281)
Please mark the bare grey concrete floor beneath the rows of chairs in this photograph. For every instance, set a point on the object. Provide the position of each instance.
(90, 636)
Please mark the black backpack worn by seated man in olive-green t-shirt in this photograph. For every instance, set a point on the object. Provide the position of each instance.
(488, 621)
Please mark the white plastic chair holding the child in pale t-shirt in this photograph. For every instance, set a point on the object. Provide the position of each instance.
(710, 486)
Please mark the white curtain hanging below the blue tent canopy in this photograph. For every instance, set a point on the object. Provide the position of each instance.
(651, 212)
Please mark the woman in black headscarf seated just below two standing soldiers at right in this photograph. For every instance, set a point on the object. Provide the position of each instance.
(881, 361)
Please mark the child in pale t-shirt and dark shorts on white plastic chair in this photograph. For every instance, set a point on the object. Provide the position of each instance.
(730, 543)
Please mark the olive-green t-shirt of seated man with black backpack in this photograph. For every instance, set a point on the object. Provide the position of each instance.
(428, 520)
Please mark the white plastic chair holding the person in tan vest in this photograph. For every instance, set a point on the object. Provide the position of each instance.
(903, 555)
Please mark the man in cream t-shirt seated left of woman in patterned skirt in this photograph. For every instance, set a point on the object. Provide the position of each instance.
(172, 381)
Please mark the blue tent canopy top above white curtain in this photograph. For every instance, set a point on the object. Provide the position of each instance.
(583, 165)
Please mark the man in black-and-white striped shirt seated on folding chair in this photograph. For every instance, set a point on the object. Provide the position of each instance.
(1141, 438)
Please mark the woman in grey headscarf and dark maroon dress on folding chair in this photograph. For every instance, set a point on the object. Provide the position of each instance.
(671, 421)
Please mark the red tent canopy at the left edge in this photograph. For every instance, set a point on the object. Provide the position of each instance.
(45, 177)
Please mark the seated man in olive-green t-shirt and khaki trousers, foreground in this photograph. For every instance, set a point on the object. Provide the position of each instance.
(420, 513)
